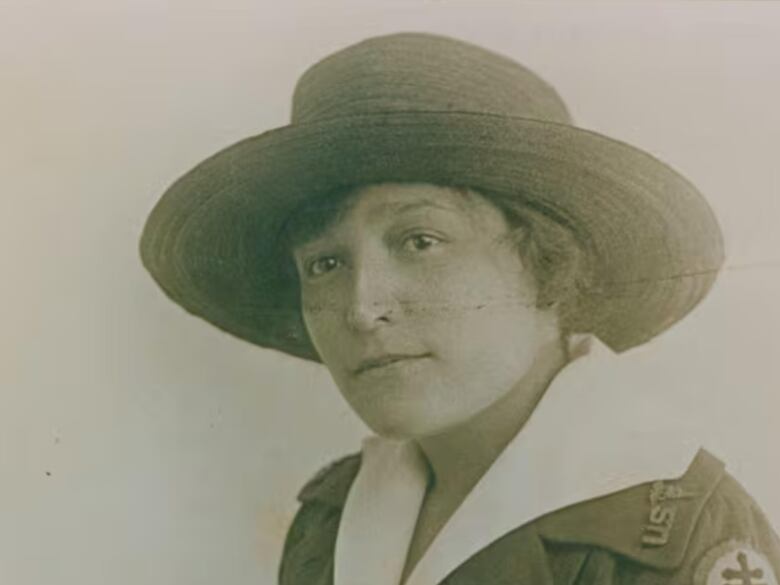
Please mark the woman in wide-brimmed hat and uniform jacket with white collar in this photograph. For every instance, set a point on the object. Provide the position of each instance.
(433, 229)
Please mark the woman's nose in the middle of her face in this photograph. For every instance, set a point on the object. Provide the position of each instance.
(371, 301)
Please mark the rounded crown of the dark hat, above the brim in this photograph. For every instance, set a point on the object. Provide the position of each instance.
(420, 72)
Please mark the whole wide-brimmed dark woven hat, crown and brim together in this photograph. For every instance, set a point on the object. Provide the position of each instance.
(416, 107)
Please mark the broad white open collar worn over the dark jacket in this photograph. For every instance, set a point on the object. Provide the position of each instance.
(589, 436)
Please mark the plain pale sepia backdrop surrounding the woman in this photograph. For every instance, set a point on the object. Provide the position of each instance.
(139, 445)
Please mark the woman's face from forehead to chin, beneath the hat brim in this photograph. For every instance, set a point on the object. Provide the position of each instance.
(419, 305)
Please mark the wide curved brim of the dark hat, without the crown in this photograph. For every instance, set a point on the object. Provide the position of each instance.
(211, 242)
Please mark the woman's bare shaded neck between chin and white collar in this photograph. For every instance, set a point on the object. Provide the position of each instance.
(458, 457)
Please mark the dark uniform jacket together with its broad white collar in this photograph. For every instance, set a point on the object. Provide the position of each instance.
(597, 488)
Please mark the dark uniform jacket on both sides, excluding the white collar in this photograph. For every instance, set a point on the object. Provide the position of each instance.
(615, 539)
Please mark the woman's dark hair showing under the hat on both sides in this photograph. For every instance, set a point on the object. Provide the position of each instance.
(548, 244)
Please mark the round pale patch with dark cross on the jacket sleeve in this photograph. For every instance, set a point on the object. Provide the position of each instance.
(734, 563)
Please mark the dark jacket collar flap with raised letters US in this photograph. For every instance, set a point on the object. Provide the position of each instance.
(652, 523)
